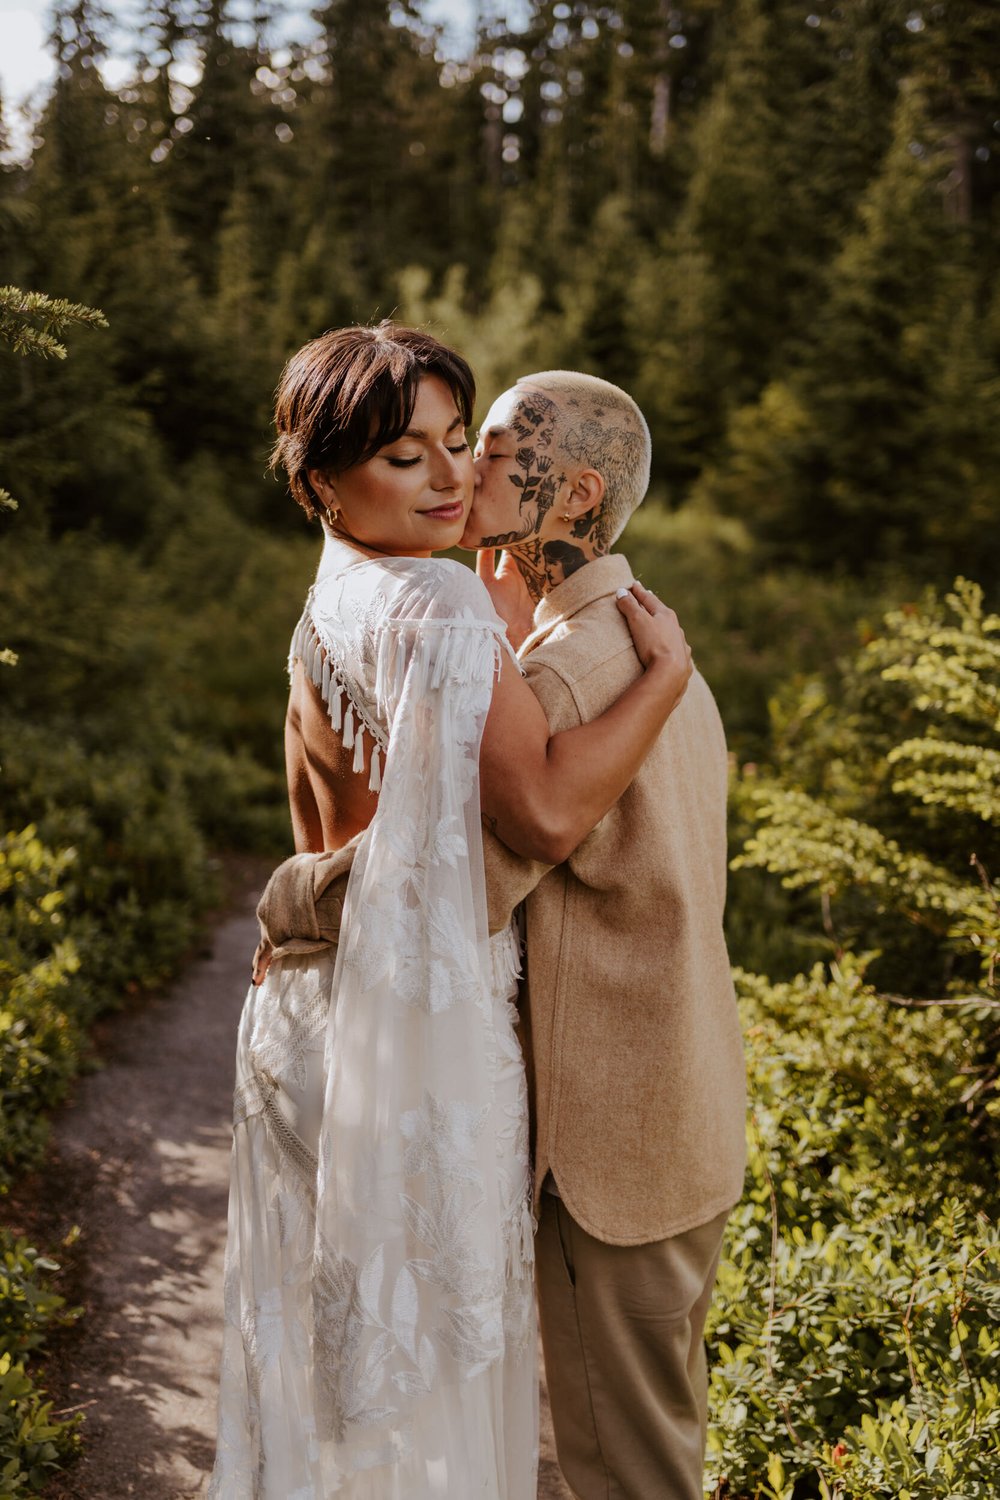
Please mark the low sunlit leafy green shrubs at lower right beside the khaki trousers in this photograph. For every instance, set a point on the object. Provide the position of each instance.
(860, 1286)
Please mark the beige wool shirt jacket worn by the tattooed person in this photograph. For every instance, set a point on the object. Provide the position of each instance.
(632, 1036)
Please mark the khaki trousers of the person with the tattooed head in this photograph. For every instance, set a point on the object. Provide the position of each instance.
(621, 1330)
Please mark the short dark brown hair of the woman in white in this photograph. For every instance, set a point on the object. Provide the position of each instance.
(350, 392)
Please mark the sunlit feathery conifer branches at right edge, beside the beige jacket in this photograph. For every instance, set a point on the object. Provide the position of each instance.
(885, 797)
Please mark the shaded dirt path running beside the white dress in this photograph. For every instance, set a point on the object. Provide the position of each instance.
(140, 1163)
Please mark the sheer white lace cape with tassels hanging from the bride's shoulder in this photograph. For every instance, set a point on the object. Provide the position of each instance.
(412, 1255)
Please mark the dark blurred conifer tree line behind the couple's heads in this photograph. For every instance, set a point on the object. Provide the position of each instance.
(779, 227)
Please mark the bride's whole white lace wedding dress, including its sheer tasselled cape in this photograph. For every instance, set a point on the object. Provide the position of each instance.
(380, 1334)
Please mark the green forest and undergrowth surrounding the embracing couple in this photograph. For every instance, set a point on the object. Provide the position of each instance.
(776, 224)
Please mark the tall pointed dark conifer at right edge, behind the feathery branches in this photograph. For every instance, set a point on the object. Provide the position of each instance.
(854, 455)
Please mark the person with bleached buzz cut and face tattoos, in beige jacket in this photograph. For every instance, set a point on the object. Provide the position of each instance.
(632, 1036)
